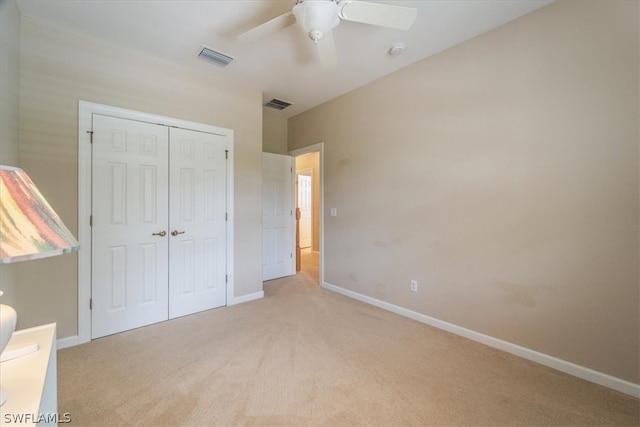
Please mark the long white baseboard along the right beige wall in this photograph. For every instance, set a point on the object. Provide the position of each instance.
(570, 368)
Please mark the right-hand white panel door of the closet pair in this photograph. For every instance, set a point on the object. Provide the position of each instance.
(197, 268)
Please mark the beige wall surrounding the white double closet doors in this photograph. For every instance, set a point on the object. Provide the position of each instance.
(59, 68)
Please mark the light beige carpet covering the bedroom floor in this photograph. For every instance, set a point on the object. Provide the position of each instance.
(306, 356)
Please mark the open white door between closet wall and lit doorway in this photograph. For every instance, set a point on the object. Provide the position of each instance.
(277, 216)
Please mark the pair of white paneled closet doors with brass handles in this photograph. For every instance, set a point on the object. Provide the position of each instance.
(159, 223)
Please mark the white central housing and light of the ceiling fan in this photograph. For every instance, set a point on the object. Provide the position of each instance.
(316, 17)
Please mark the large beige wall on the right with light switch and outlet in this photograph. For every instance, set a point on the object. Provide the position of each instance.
(502, 174)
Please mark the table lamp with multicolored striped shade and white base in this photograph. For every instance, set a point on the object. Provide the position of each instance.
(29, 229)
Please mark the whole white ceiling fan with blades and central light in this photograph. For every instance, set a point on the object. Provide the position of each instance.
(317, 19)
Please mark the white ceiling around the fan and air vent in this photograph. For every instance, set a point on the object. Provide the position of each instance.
(284, 65)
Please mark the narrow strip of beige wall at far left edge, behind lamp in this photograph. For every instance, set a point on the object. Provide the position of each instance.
(9, 104)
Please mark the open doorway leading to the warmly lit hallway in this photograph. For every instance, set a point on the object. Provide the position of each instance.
(309, 211)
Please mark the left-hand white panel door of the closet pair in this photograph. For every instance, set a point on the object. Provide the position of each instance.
(129, 269)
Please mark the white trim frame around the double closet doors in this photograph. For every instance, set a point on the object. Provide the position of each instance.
(85, 113)
